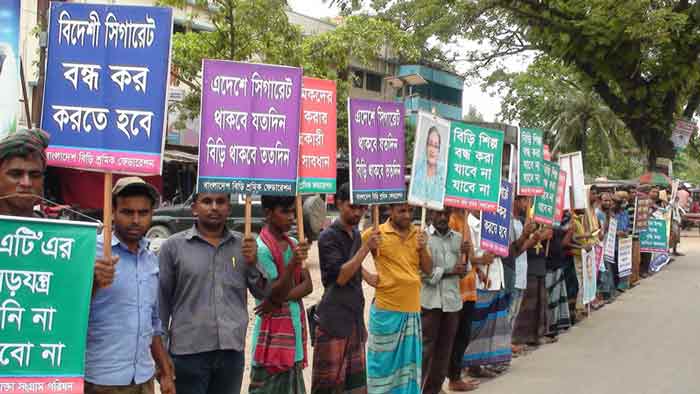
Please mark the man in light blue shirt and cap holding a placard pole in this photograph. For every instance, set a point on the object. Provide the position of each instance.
(124, 344)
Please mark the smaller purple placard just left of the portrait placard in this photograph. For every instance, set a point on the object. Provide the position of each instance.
(377, 157)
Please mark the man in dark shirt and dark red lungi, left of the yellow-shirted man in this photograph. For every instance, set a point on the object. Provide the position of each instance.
(339, 339)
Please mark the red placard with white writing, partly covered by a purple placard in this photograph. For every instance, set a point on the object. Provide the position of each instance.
(317, 140)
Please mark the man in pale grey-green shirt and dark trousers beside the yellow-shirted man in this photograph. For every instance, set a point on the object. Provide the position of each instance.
(441, 300)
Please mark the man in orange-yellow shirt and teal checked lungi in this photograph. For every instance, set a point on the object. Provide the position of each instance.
(394, 353)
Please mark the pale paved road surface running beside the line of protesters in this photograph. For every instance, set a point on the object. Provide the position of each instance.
(648, 342)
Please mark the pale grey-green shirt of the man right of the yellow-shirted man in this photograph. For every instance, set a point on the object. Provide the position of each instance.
(441, 288)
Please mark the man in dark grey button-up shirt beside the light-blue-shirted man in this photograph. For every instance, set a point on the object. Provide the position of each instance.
(205, 273)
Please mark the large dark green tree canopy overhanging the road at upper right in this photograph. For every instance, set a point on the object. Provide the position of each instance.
(639, 56)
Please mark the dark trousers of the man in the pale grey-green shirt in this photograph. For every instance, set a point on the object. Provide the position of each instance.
(439, 330)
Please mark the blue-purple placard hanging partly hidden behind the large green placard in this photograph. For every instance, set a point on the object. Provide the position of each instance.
(495, 226)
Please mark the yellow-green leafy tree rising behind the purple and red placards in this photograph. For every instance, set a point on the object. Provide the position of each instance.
(258, 30)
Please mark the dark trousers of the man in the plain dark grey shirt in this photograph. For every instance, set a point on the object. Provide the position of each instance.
(215, 372)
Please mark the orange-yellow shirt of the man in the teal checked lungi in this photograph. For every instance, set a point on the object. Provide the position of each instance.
(398, 266)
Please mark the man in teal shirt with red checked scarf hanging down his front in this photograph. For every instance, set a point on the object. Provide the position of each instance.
(279, 336)
